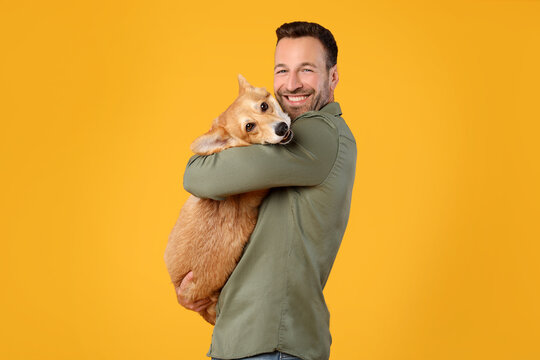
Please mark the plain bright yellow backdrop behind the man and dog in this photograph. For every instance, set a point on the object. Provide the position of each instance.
(101, 99)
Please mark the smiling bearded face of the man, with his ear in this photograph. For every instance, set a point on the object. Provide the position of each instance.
(301, 80)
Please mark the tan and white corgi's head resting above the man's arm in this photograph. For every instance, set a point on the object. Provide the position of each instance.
(255, 117)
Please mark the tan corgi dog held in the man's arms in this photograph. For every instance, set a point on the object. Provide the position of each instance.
(209, 235)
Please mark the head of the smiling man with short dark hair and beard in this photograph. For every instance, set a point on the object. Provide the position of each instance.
(305, 72)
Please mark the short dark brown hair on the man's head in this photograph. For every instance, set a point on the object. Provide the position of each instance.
(302, 28)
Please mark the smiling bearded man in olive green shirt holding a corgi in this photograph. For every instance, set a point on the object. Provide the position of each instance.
(272, 306)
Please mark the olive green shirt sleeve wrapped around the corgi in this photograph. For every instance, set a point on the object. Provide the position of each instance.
(306, 161)
